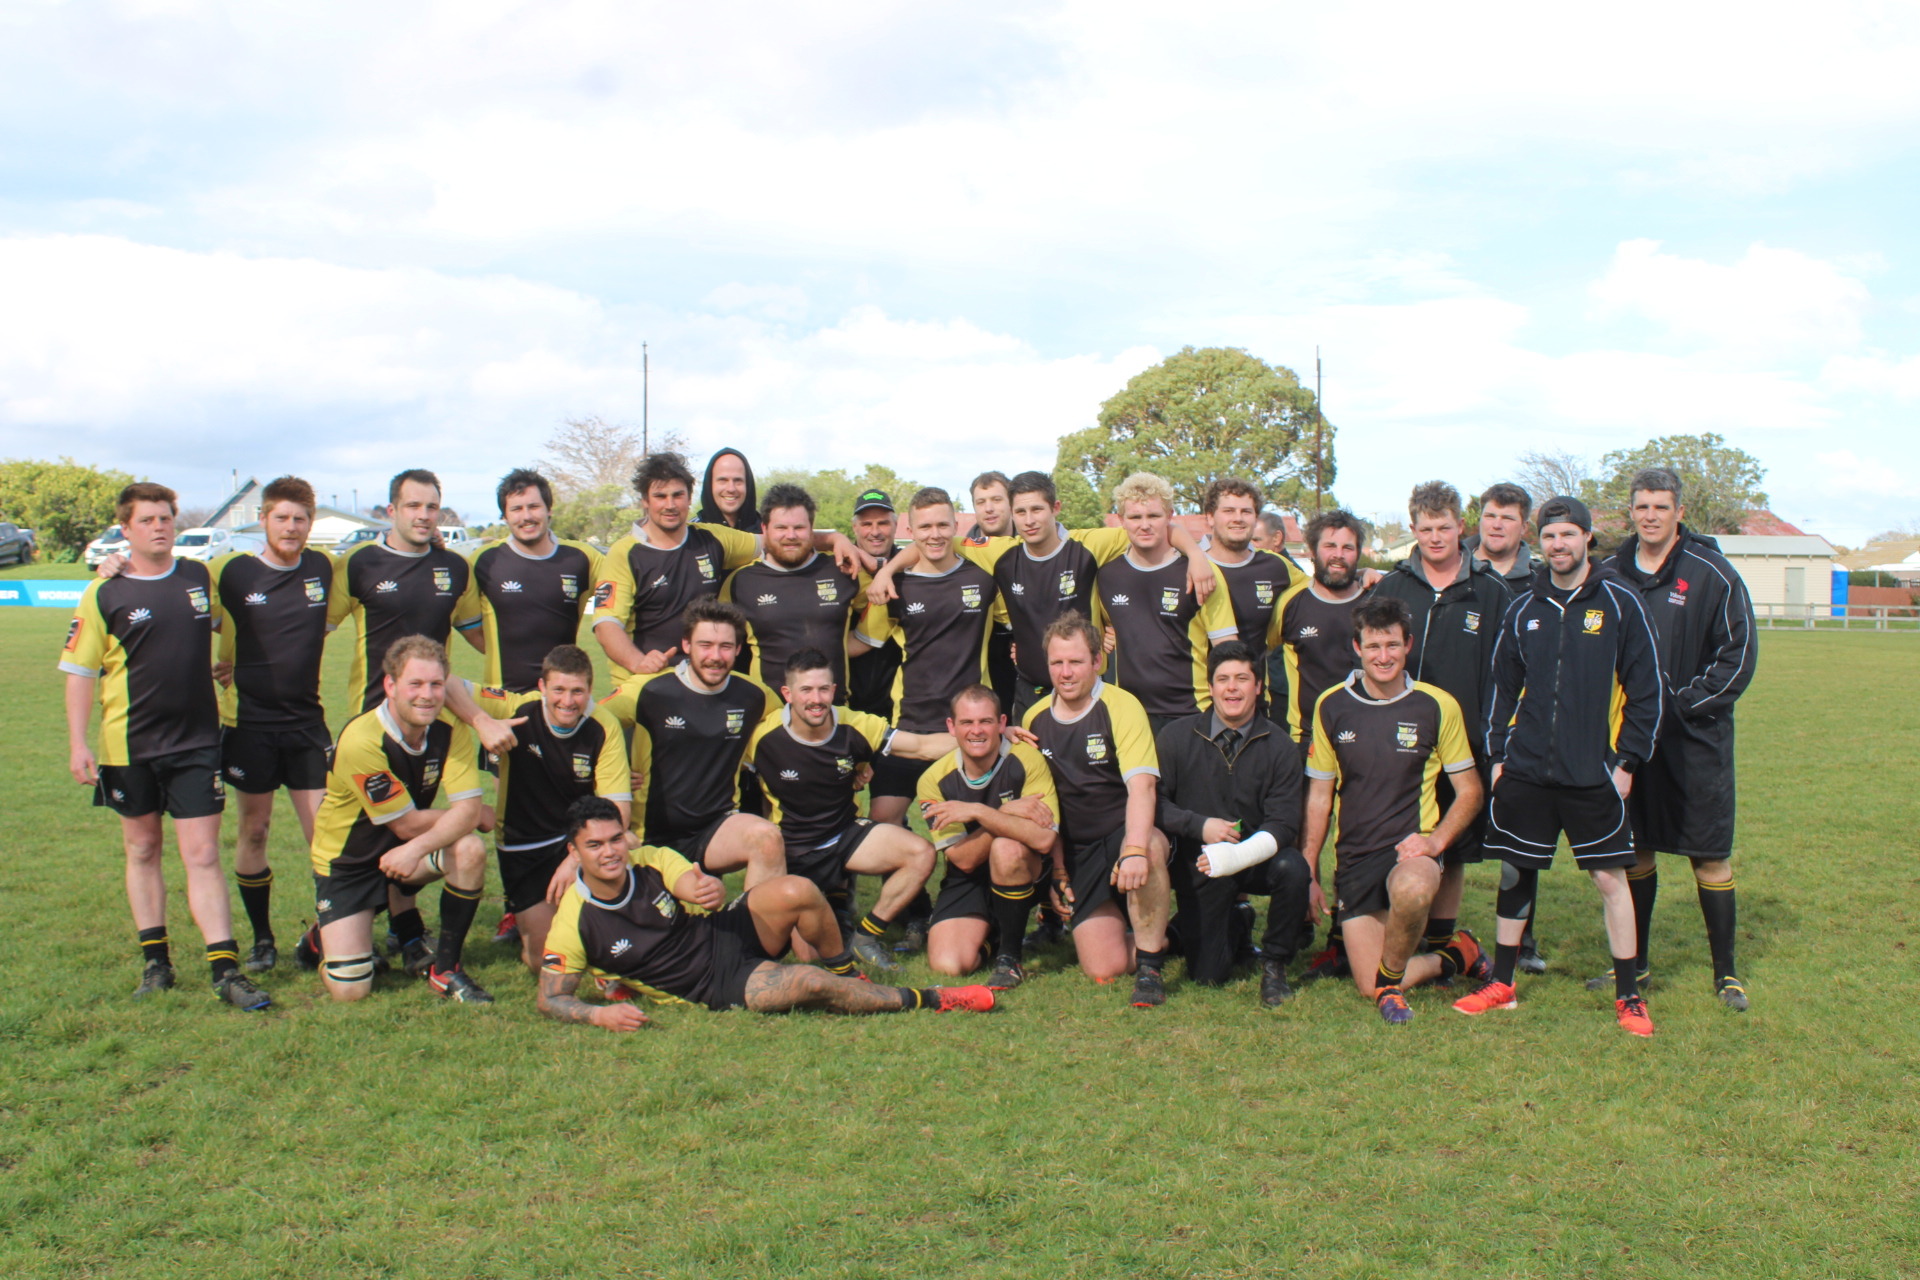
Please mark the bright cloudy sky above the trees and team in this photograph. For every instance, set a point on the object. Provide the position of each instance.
(360, 237)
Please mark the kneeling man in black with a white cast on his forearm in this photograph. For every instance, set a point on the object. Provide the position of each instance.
(1230, 801)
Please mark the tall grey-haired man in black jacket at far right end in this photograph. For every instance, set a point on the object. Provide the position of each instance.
(1683, 801)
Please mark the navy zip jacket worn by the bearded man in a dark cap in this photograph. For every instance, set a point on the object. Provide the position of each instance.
(1577, 682)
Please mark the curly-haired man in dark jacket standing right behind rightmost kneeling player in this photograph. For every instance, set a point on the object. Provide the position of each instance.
(1456, 604)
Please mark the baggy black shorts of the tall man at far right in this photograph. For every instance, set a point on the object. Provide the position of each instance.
(1683, 799)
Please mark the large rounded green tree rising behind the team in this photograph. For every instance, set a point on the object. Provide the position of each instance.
(1203, 415)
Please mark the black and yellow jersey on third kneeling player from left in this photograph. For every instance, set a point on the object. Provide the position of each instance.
(688, 746)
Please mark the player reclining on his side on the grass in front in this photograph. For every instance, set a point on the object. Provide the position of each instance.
(625, 918)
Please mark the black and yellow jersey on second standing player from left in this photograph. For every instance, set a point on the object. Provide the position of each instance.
(276, 636)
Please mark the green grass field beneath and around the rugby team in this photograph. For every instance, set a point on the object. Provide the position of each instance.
(1065, 1135)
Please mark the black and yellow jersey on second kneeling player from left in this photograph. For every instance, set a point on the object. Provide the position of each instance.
(550, 769)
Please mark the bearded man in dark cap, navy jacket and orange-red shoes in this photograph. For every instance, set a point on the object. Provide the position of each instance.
(1575, 713)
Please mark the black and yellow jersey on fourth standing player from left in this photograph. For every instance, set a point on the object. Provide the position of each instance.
(529, 605)
